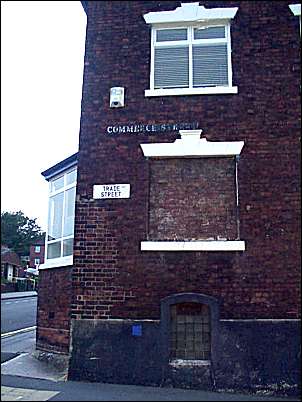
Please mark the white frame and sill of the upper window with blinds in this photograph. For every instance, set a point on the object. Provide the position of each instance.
(228, 89)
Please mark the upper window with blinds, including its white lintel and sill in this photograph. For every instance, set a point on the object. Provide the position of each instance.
(193, 56)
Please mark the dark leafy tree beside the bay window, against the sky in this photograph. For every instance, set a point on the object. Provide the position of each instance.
(18, 231)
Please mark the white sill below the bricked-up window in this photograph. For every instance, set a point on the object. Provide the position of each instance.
(202, 245)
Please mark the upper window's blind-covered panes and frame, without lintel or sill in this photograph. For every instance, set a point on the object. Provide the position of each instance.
(192, 57)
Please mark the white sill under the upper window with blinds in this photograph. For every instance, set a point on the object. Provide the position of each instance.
(191, 91)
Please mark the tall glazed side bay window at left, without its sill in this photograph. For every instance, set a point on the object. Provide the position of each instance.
(61, 212)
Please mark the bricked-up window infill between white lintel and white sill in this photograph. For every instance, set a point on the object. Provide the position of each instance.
(192, 199)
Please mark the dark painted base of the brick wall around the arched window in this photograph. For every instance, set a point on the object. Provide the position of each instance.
(254, 356)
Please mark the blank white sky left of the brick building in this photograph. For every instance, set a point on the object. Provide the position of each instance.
(42, 59)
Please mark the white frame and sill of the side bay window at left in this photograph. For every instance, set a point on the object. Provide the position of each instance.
(67, 260)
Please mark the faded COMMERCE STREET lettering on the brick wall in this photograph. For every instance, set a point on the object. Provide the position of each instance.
(137, 128)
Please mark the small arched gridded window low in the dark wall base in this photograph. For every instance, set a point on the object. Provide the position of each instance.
(190, 337)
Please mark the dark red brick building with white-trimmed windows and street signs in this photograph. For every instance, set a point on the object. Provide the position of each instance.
(185, 267)
